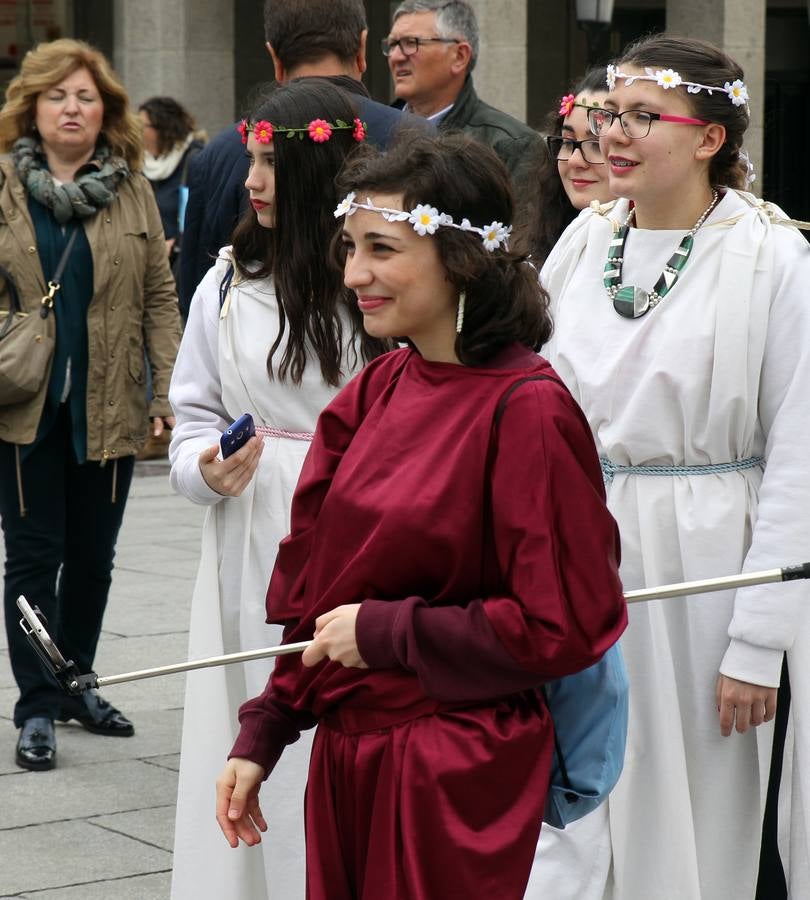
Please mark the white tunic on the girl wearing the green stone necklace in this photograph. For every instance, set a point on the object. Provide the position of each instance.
(719, 371)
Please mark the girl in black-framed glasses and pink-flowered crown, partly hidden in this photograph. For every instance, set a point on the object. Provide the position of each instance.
(572, 173)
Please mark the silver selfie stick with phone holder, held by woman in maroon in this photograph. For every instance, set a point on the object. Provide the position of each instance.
(67, 674)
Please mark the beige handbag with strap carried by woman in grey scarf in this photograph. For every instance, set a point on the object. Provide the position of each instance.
(27, 340)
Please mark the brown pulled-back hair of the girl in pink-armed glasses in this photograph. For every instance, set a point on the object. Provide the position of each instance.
(702, 63)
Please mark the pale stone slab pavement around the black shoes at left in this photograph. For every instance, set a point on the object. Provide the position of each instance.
(101, 824)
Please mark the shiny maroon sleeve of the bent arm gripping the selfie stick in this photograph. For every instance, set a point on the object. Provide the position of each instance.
(558, 549)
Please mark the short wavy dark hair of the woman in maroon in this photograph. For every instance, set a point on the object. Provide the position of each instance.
(466, 180)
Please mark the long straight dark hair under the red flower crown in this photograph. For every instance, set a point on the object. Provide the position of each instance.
(309, 291)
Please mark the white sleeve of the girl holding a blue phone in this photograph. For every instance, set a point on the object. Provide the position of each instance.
(195, 392)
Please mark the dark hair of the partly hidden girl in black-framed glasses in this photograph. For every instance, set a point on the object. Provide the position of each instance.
(549, 211)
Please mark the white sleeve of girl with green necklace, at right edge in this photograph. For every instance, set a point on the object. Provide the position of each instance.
(767, 618)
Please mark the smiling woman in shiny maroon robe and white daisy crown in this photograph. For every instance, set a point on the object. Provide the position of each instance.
(450, 551)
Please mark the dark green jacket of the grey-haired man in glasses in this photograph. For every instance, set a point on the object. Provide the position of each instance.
(519, 146)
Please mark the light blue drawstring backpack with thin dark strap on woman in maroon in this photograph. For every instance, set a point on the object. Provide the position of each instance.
(589, 710)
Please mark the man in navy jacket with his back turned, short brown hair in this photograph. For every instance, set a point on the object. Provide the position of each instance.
(305, 38)
